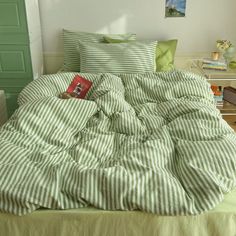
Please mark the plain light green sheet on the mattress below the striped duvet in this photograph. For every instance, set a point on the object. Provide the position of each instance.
(91, 221)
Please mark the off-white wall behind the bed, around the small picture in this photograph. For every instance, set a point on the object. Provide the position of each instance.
(205, 21)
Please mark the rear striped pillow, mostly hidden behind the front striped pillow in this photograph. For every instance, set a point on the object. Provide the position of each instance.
(70, 40)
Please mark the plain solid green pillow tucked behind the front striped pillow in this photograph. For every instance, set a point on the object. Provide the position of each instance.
(165, 52)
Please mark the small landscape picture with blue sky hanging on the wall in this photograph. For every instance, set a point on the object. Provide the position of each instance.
(175, 8)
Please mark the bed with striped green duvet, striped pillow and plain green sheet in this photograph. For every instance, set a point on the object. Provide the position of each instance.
(143, 152)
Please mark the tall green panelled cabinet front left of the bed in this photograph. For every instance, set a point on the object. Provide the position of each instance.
(15, 59)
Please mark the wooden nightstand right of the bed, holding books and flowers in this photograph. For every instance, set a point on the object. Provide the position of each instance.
(220, 78)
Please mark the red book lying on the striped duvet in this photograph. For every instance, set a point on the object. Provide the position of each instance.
(79, 87)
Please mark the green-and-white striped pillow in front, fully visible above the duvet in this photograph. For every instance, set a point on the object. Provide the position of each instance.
(133, 57)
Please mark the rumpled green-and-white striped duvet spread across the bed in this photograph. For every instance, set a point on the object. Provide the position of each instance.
(153, 142)
